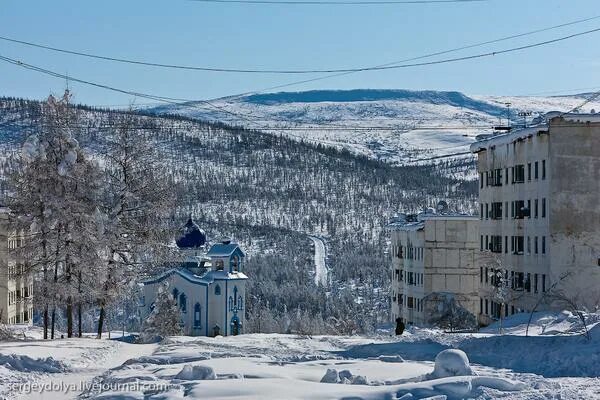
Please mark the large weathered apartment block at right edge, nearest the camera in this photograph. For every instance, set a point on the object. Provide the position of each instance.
(539, 197)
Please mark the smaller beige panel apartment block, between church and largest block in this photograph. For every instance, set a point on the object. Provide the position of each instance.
(433, 254)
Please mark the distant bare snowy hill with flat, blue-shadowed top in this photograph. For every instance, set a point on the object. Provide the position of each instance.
(394, 125)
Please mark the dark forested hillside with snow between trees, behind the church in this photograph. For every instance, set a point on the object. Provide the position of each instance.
(268, 192)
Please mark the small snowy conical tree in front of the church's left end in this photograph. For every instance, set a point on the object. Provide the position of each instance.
(165, 318)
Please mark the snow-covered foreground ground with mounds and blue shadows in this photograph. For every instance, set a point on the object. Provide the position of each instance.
(554, 362)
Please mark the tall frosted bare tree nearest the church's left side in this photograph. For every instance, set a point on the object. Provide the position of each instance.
(137, 199)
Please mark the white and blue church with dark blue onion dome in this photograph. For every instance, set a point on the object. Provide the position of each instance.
(208, 283)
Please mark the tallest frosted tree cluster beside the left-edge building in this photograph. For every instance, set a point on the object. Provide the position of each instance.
(54, 189)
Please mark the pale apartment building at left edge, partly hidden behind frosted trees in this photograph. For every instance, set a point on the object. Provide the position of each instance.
(16, 284)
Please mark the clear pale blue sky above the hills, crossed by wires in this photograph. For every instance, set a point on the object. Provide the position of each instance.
(273, 36)
